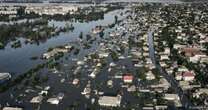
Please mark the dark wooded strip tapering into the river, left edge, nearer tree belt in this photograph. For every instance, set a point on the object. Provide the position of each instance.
(32, 31)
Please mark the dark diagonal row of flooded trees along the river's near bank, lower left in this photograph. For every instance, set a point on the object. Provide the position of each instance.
(33, 74)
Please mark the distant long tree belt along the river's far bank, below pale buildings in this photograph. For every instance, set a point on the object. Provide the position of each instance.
(83, 15)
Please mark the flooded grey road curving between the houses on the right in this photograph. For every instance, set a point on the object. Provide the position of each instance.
(184, 100)
